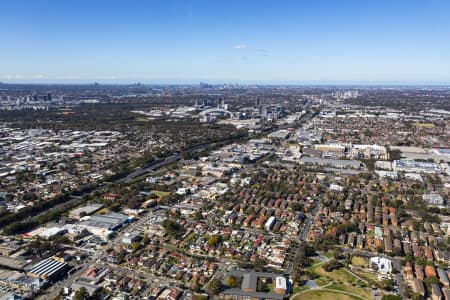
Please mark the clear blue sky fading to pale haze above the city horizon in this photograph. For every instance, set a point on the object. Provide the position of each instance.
(241, 41)
